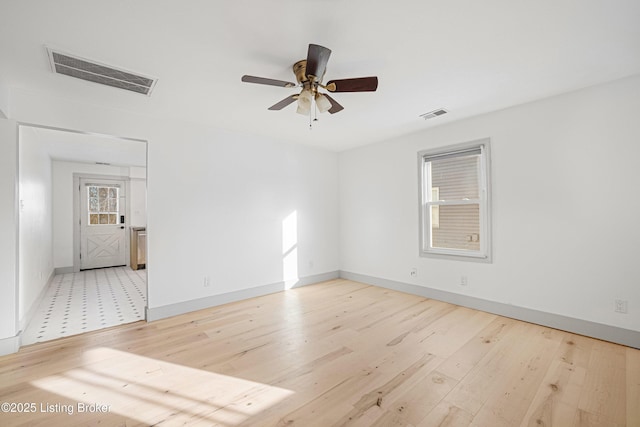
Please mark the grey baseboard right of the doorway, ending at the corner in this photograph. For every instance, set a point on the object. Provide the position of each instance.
(162, 312)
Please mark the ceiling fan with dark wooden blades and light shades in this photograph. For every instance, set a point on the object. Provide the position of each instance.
(309, 74)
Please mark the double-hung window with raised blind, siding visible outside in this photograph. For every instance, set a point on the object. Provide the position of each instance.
(454, 202)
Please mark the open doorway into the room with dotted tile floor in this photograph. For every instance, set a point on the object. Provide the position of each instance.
(49, 159)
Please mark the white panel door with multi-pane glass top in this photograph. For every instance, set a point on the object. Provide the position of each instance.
(102, 223)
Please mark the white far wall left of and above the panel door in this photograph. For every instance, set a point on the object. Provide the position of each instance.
(63, 204)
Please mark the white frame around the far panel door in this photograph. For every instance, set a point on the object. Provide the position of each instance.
(77, 213)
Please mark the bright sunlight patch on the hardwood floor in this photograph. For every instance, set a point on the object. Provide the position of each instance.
(151, 391)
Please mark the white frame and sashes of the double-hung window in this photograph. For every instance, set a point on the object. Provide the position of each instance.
(484, 202)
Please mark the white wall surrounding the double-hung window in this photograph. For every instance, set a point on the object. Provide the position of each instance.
(565, 206)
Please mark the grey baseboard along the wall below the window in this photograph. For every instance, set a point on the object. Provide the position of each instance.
(600, 331)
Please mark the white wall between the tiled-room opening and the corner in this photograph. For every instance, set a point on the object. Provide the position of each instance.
(216, 200)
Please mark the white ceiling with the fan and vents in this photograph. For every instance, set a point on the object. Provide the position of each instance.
(469, 57)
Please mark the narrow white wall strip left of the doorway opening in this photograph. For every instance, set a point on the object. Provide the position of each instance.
(8, 236)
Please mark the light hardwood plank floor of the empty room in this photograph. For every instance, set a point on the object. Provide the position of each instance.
(332, 354)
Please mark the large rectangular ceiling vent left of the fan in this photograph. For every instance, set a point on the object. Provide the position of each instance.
(85, 69)
